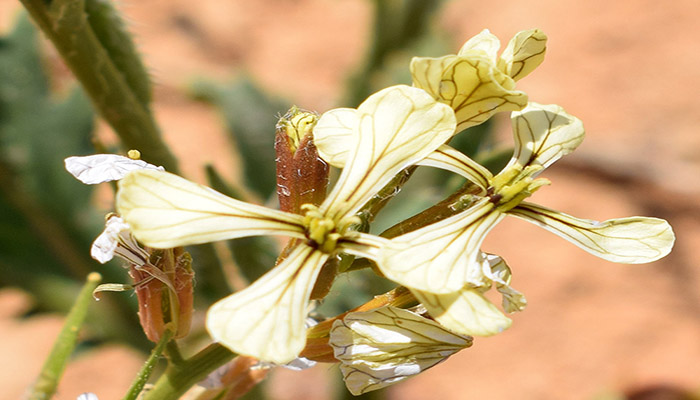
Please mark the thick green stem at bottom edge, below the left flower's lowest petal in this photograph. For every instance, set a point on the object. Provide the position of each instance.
(178, 378)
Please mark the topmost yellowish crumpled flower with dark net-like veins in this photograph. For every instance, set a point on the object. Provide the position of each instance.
(476, 82)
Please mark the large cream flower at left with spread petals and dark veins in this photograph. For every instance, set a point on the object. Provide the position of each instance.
(394, 128)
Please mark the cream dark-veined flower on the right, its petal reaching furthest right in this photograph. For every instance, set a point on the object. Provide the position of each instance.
(442, 262)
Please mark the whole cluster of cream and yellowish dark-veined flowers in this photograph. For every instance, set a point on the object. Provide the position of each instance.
(441, 263)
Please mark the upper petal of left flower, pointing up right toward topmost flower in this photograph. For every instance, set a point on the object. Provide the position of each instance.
(397, 127)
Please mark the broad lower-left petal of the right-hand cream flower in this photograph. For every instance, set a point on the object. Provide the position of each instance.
(441, 257)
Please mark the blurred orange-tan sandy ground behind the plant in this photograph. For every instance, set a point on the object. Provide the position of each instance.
(629, 69)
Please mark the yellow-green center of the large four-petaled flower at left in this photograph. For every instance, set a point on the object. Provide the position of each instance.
(324, 232)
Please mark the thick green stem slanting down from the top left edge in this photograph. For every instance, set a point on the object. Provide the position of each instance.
(67, 25)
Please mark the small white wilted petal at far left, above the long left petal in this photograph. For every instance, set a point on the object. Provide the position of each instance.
(99, 168)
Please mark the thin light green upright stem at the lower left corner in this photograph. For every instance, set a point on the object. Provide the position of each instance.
(54, 366)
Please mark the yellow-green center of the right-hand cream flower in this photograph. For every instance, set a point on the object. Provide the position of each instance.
(510, 187)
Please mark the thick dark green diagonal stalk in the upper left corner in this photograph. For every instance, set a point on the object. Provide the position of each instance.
(110, 73)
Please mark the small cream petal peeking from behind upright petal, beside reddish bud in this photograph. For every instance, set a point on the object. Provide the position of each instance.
(334, 135)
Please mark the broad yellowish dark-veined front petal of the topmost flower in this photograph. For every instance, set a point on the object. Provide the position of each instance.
(472, 85)
